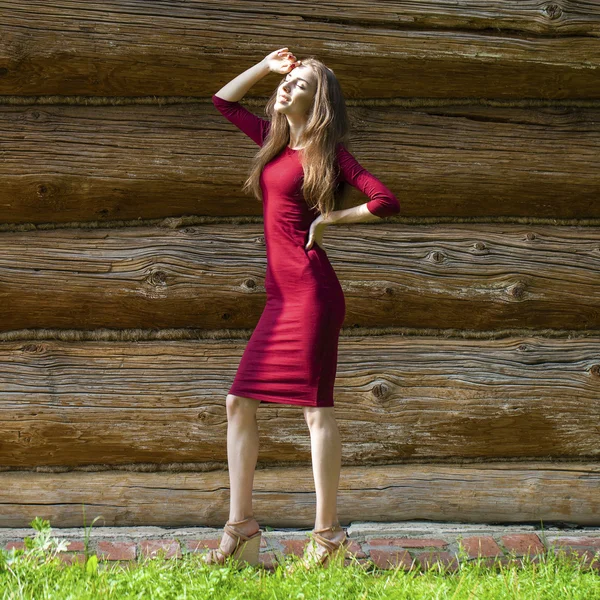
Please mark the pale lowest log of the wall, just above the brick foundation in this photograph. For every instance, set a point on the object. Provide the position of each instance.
(508, 492)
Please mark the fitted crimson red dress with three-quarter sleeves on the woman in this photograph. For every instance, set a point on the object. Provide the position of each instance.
(291, 357)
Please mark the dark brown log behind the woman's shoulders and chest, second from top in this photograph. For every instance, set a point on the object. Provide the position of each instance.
(64, 164)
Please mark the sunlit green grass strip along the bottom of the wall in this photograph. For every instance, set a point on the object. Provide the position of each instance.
(37, 573)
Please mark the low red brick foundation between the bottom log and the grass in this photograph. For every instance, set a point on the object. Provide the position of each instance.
(386, 546)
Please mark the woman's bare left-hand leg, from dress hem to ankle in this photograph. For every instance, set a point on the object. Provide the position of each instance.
(242, 454)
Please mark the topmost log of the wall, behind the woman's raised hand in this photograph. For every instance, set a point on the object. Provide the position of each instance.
(500, 50)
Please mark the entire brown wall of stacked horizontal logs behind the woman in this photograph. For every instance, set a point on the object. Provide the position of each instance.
(132, 266)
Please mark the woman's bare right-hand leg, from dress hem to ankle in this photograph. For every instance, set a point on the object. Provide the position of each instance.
(326, 450)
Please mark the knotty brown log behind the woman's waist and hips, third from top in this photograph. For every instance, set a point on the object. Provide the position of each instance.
(474, 277)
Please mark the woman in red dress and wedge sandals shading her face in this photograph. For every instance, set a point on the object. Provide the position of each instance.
(300, 173)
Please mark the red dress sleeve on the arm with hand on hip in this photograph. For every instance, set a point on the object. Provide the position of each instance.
(382, 202)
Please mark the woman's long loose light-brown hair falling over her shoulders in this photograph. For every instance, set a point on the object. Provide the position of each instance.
(327, 125)
